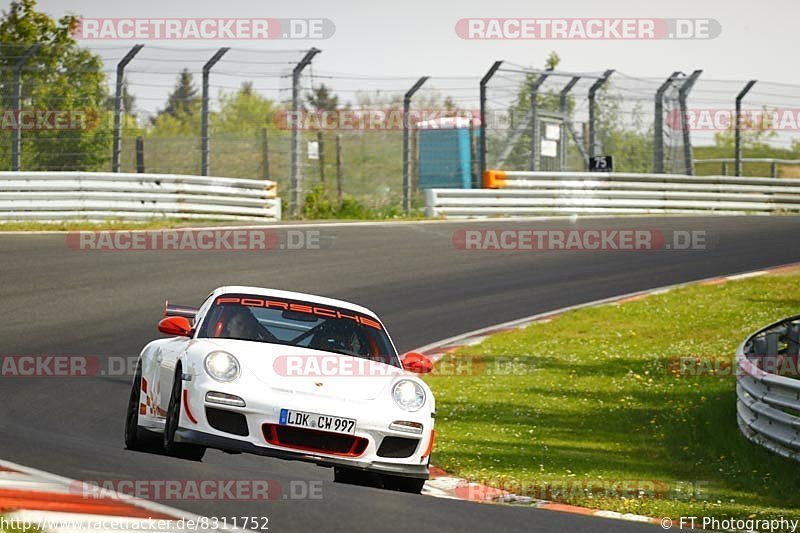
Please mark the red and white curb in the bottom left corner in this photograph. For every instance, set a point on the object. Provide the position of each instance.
(55, 504)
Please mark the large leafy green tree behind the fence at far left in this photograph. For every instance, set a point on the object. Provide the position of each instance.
(60, 76)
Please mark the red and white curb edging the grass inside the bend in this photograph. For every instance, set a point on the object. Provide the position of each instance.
(445, 485)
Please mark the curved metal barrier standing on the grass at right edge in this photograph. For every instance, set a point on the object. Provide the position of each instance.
(767, 404)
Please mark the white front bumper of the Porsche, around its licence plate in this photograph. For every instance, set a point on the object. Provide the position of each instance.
(263, 408)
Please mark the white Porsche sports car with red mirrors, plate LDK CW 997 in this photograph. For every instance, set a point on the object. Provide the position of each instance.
(288, 375)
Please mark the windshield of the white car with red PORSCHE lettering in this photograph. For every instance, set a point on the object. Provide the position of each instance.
(296, 323)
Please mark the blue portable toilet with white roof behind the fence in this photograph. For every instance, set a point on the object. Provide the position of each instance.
(445, 153)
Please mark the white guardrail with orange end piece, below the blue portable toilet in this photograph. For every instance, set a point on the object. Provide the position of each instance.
(539, 193)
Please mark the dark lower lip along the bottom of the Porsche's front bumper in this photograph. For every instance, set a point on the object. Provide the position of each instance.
(227, 444)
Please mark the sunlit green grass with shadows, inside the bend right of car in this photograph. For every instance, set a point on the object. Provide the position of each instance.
(592, 398)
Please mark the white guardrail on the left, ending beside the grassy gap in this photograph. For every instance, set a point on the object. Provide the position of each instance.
(56, 196)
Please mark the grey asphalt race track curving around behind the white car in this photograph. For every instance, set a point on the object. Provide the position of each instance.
(60, 301)
